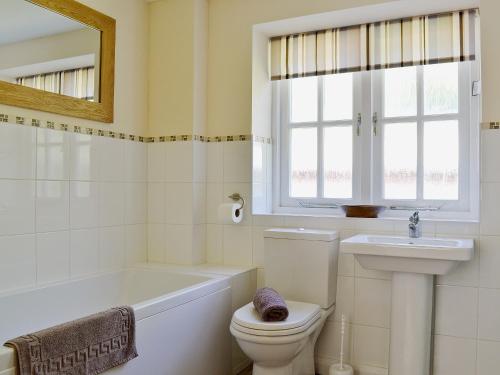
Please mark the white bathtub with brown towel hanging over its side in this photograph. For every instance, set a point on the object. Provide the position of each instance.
(182, 317)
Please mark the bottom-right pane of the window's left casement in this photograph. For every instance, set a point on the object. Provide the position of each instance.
(337, 159)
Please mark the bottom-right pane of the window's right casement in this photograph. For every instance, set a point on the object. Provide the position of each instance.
(441, 160)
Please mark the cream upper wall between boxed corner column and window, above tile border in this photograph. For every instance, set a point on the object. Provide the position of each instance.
(230, 54)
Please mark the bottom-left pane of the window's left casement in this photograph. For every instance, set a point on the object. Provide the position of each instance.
(303, 162)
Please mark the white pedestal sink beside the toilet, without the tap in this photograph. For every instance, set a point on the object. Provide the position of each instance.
(414, 262)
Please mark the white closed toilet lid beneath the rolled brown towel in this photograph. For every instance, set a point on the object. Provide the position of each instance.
(299, 314)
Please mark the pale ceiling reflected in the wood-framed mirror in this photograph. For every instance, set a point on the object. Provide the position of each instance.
(22, 20)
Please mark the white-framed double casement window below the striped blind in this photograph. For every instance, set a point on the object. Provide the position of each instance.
(404, 137)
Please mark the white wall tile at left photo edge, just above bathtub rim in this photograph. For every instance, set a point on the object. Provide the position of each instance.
(18, 265)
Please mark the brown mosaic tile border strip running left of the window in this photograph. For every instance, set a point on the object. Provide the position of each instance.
(4, 118)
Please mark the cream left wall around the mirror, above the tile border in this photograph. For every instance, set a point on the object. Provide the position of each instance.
(130, 75)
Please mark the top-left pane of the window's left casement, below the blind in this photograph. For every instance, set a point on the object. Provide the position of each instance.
(304, 99)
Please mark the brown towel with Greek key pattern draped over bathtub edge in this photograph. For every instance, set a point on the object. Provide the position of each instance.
(86, 346)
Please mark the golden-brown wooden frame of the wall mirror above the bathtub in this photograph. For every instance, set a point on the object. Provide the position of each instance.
(27, 97)
